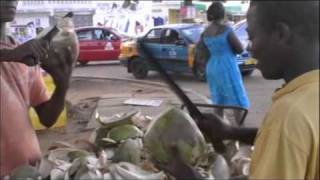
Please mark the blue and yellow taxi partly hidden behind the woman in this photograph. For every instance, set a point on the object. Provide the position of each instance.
(173, 46)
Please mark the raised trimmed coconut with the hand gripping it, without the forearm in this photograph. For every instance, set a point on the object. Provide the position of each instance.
(63, 51)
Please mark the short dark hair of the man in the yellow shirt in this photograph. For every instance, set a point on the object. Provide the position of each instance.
(302, 16)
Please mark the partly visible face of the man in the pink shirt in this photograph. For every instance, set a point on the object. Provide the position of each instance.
(7, 10)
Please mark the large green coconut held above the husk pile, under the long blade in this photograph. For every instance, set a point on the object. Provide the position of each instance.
(174, 126)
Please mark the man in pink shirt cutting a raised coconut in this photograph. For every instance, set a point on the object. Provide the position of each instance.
(22, 87)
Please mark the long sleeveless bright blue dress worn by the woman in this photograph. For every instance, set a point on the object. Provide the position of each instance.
(223, 74)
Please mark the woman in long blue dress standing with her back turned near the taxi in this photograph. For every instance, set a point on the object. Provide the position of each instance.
(223, 74)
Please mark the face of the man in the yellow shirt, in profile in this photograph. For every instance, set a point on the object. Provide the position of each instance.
(264, 48)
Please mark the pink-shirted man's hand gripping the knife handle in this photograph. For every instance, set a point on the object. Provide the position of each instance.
(29, 53)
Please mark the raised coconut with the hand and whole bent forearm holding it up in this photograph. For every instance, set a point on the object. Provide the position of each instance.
(62, 55)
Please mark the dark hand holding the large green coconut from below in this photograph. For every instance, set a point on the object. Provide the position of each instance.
(177, 167)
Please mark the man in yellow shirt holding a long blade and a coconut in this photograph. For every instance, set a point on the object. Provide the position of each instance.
(286, 45)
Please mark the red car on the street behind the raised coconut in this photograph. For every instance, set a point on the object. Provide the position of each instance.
(98, 44)
